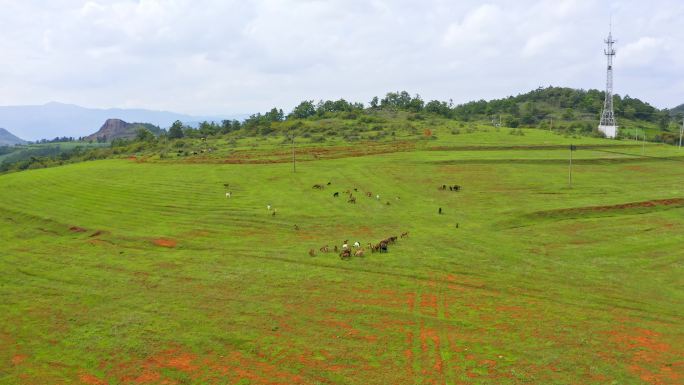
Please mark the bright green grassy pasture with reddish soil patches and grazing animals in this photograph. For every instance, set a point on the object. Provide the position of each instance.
(140, 270)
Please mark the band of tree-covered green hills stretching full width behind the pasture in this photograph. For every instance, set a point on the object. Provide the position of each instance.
(565, 111)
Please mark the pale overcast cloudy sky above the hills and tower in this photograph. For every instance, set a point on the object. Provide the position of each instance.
(225, 57)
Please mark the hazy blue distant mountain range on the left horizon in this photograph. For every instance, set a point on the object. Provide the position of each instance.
(57, 119)
